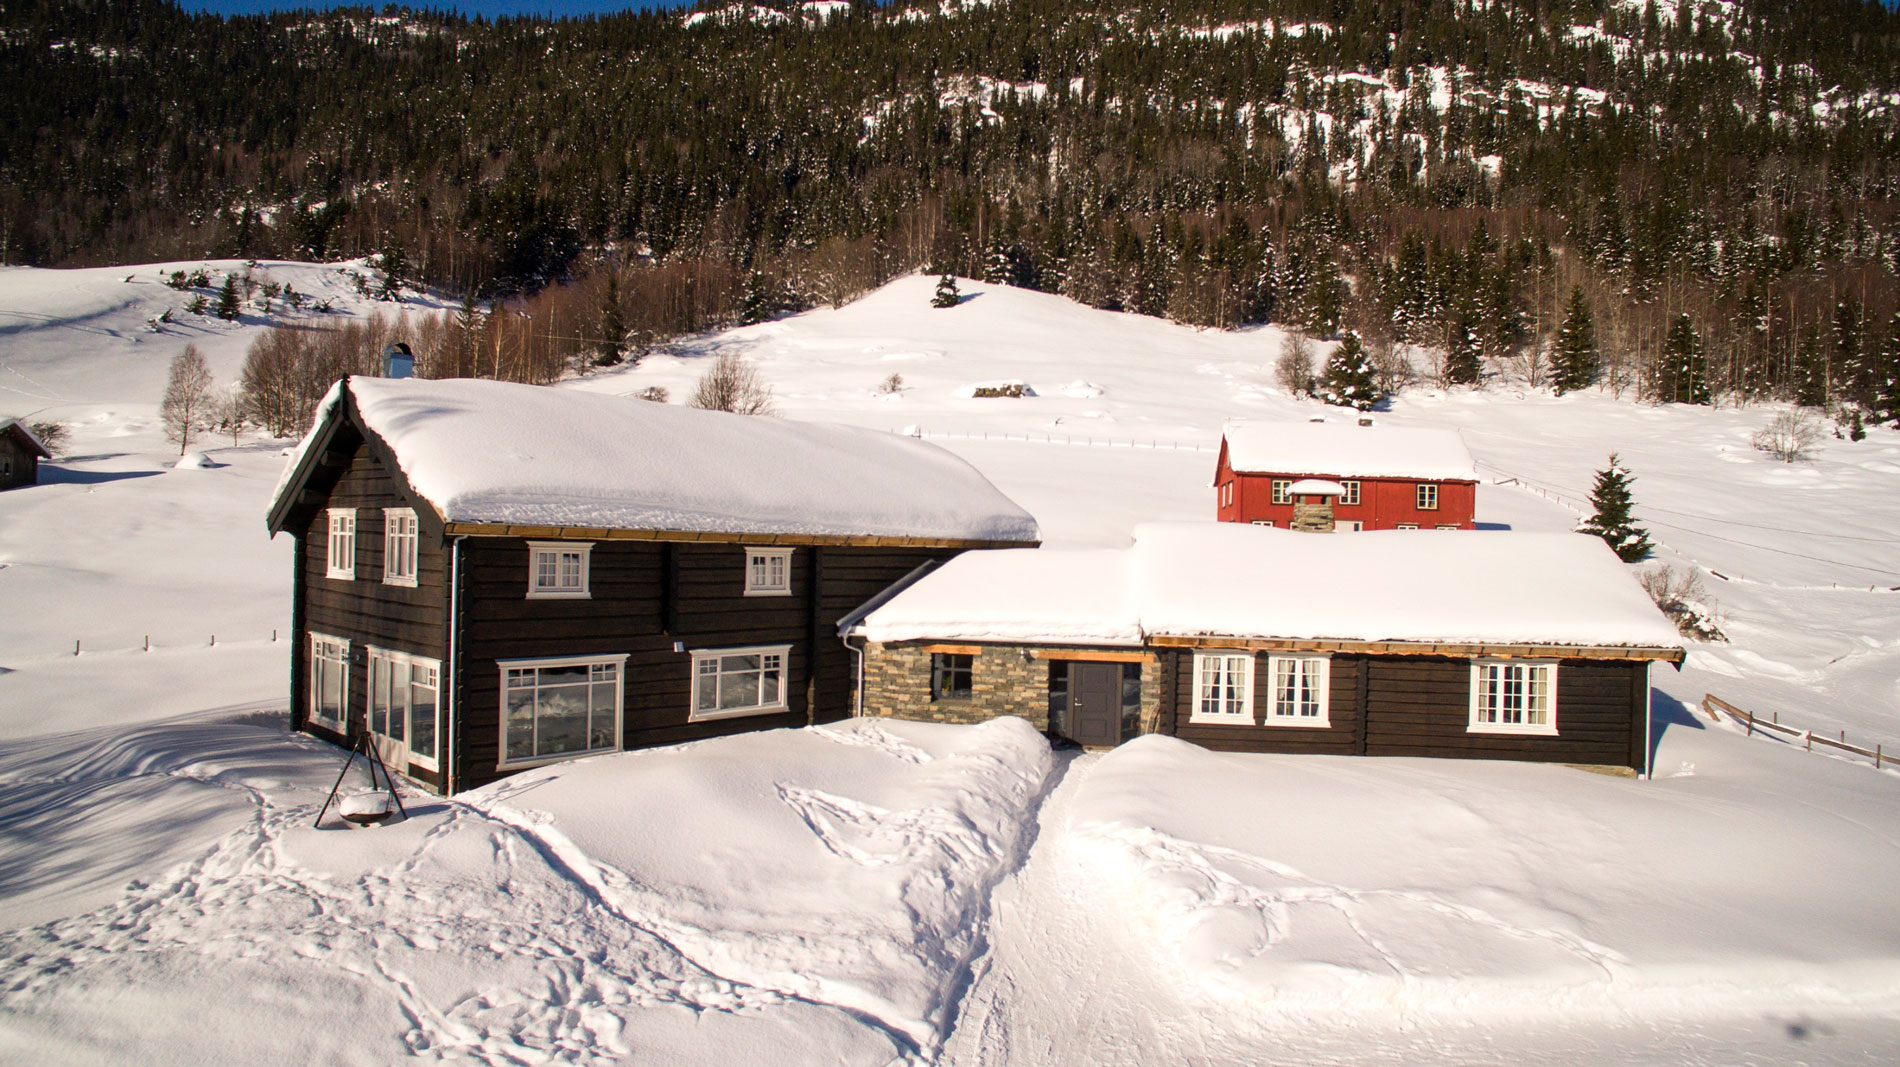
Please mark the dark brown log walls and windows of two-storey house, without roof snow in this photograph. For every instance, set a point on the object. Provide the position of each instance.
(465, 671)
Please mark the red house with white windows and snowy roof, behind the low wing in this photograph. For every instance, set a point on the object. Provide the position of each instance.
(1392, 479)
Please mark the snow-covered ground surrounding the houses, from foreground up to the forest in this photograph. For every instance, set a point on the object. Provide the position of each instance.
(879, 893)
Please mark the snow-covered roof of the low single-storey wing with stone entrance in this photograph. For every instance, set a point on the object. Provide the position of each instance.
(1228, 580)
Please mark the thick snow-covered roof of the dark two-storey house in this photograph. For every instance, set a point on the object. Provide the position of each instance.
(493, 453)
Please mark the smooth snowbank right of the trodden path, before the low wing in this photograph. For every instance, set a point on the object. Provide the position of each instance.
(1377, 891)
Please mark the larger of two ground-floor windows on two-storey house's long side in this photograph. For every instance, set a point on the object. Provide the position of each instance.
(556, 709)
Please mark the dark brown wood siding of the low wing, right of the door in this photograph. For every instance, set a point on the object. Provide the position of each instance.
(1415, 705)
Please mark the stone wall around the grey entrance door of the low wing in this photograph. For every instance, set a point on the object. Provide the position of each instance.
(1004, 683)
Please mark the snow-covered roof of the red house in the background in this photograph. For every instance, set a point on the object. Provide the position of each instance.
(1346, 451)
